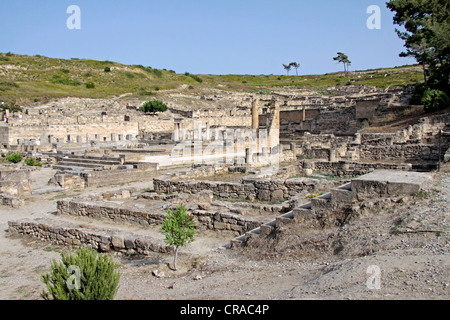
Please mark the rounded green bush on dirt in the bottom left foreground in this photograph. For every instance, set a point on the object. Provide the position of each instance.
(84, 276)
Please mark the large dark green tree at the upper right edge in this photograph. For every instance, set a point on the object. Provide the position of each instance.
(426, 34)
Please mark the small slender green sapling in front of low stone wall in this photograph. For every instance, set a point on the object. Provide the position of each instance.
(179, 229)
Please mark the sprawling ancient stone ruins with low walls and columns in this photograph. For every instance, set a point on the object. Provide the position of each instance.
(258, 163)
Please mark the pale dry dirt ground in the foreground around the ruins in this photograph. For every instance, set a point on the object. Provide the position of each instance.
(399, 254)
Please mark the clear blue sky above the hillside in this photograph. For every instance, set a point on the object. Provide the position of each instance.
(206, 36)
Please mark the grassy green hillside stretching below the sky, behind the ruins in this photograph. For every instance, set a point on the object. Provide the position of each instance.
(27, 79)
